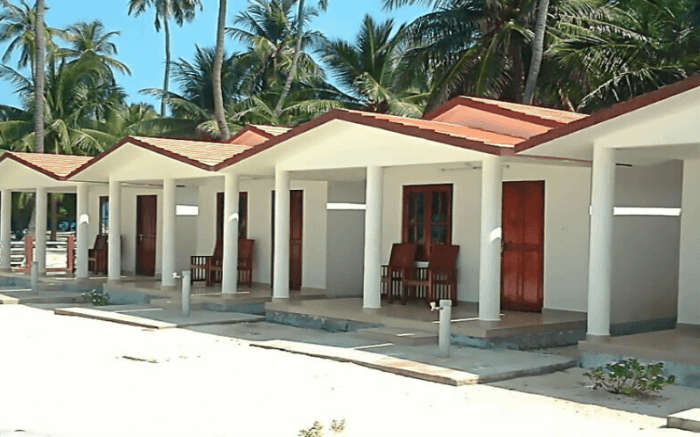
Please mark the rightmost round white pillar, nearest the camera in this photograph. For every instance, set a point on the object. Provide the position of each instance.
(600, 255)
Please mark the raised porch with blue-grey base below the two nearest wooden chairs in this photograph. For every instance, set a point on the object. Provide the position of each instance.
(514, 330)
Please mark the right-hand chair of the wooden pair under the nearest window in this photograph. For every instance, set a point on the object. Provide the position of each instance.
(440, 280)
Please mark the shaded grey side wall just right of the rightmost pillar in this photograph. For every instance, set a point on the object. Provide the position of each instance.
(646, 248)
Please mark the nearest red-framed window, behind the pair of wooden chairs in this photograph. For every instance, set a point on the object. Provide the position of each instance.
(427, 217)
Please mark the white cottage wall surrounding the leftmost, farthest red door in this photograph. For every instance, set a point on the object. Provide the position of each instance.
(185, 226)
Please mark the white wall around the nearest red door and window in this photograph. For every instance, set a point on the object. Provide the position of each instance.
(566, 229)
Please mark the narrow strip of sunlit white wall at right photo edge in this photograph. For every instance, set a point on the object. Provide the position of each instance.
(689, 273)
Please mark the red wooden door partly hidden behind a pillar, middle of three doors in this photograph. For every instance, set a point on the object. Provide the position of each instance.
(296, 226)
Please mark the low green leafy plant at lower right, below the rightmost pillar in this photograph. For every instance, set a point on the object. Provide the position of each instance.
(630, 377)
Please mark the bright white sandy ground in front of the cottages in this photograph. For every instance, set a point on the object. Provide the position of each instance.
(67, 376)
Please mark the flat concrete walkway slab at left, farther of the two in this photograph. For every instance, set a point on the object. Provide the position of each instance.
(152, 317)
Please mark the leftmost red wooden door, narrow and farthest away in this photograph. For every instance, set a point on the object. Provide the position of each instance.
(146, 225)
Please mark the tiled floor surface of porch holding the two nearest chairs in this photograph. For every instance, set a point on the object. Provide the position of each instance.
(416, 316)
